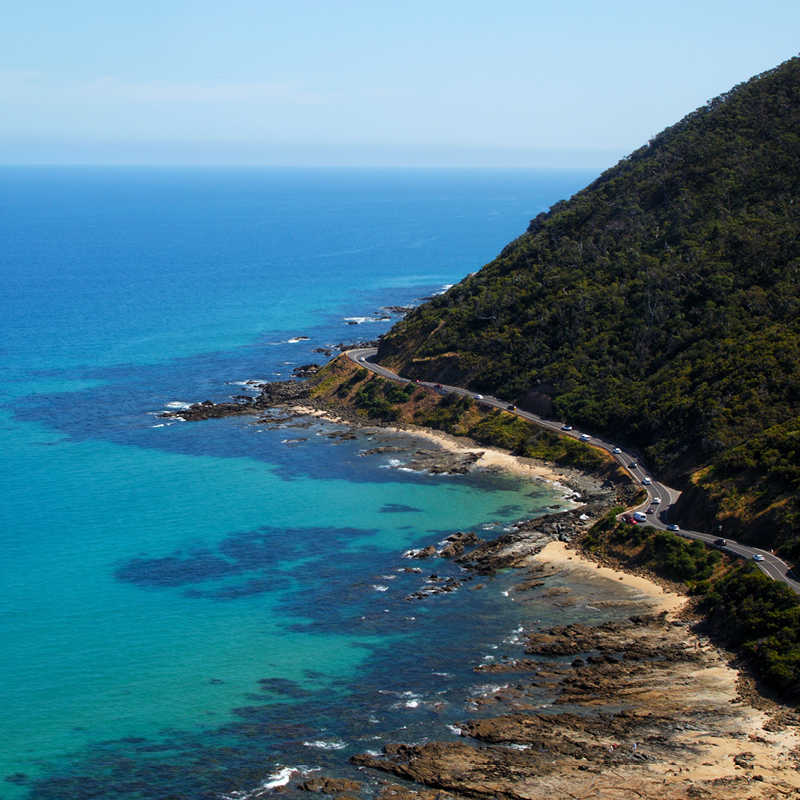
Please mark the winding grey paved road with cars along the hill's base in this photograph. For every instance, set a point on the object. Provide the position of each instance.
(660, 497)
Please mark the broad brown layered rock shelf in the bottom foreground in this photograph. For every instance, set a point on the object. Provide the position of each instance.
(625, 731)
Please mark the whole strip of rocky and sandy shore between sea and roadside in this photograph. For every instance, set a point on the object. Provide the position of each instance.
(622, 706)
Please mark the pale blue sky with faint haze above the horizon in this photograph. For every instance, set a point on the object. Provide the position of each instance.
(382, 83)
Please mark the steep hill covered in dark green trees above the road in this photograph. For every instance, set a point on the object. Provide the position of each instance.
(660, 306)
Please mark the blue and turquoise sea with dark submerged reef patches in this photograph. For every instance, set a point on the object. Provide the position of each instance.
(188, 609)
